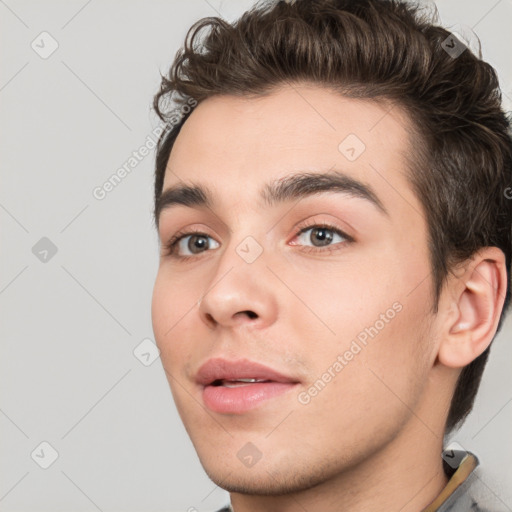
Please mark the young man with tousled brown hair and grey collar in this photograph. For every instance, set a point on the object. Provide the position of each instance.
(336, 240)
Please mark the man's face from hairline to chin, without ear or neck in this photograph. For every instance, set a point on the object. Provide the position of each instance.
(309, 258)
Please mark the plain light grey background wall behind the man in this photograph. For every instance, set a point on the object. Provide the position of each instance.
(69, 326)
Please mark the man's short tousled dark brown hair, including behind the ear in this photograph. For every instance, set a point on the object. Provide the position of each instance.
(461, 164)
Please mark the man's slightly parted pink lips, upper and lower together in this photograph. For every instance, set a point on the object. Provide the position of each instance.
(235, 387)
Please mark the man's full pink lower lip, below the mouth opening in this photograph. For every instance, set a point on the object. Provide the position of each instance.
(239, 399)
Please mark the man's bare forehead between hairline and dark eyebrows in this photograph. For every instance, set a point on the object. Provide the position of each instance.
(233, 145)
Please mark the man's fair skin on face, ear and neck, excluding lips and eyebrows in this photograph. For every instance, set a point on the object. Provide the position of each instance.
(371, 439)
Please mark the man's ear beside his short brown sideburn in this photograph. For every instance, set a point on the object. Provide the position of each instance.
(473, 310)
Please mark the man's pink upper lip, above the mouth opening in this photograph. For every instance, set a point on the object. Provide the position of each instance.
(223, 369)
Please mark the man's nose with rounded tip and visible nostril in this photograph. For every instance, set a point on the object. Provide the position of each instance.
(239, 293)
